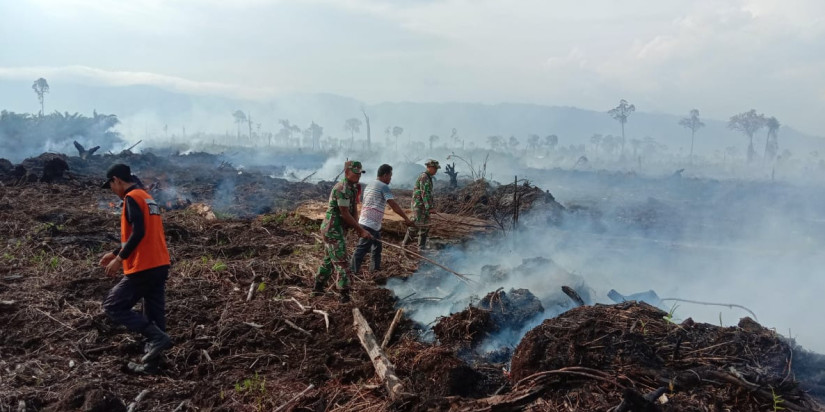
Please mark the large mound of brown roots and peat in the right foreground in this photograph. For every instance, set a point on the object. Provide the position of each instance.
(633, 356)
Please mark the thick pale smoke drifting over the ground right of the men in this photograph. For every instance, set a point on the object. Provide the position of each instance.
(753, 243)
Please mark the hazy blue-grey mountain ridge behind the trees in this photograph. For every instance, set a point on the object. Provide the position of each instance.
(144, 110)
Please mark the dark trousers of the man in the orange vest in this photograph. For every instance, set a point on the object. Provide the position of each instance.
(149, 285)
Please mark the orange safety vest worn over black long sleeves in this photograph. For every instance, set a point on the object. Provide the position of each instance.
(151, 252)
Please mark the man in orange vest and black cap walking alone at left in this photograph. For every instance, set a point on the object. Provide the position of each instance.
(144, 258)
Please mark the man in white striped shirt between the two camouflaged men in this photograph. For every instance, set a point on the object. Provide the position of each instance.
(376, 197)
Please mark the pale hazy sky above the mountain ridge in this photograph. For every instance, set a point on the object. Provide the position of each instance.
(722, 57)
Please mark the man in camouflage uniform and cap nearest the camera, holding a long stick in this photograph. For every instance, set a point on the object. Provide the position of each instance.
(341, 213)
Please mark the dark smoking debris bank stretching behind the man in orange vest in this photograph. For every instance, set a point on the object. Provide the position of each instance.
(176, 180)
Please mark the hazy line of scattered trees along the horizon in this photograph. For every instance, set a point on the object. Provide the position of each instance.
(748, 123)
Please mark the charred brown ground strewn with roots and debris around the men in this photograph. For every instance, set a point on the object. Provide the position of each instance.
(249, 336)
